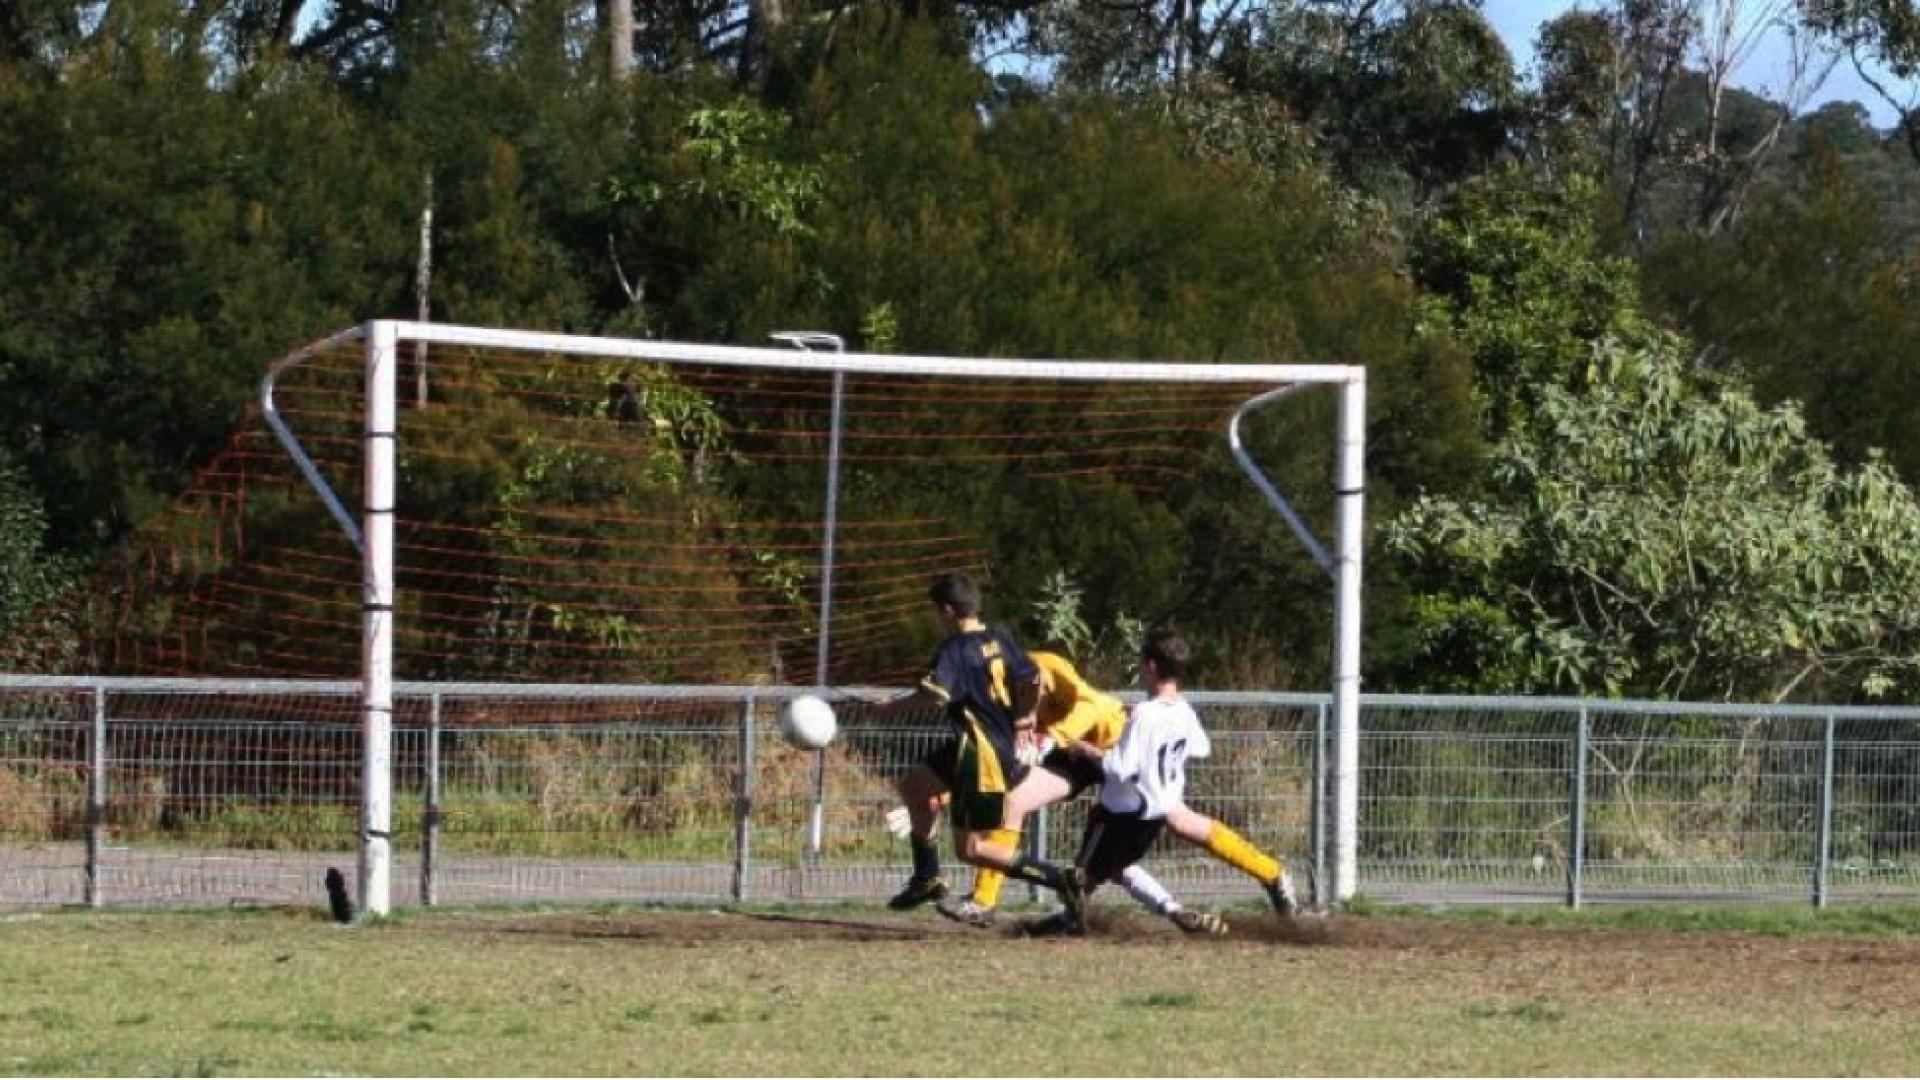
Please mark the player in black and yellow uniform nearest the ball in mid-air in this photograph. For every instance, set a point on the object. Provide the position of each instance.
(990, 689)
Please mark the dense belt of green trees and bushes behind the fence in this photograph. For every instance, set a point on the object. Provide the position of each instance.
(195, 189)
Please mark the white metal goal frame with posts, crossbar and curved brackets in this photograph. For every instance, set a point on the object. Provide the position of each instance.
(373, 529)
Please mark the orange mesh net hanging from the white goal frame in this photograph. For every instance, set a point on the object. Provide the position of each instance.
(602, 520)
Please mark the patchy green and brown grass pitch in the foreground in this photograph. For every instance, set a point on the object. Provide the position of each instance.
(863, 993)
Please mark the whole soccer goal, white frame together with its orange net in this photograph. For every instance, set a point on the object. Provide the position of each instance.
(529, 506)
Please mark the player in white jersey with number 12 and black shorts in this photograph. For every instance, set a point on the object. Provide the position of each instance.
(1145, 789)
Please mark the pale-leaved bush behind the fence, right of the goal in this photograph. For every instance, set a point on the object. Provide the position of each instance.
(1664, 535)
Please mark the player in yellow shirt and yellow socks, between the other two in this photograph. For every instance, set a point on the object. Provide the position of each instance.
(1072, 712)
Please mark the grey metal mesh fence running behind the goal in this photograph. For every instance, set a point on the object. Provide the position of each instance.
(147, 791)
